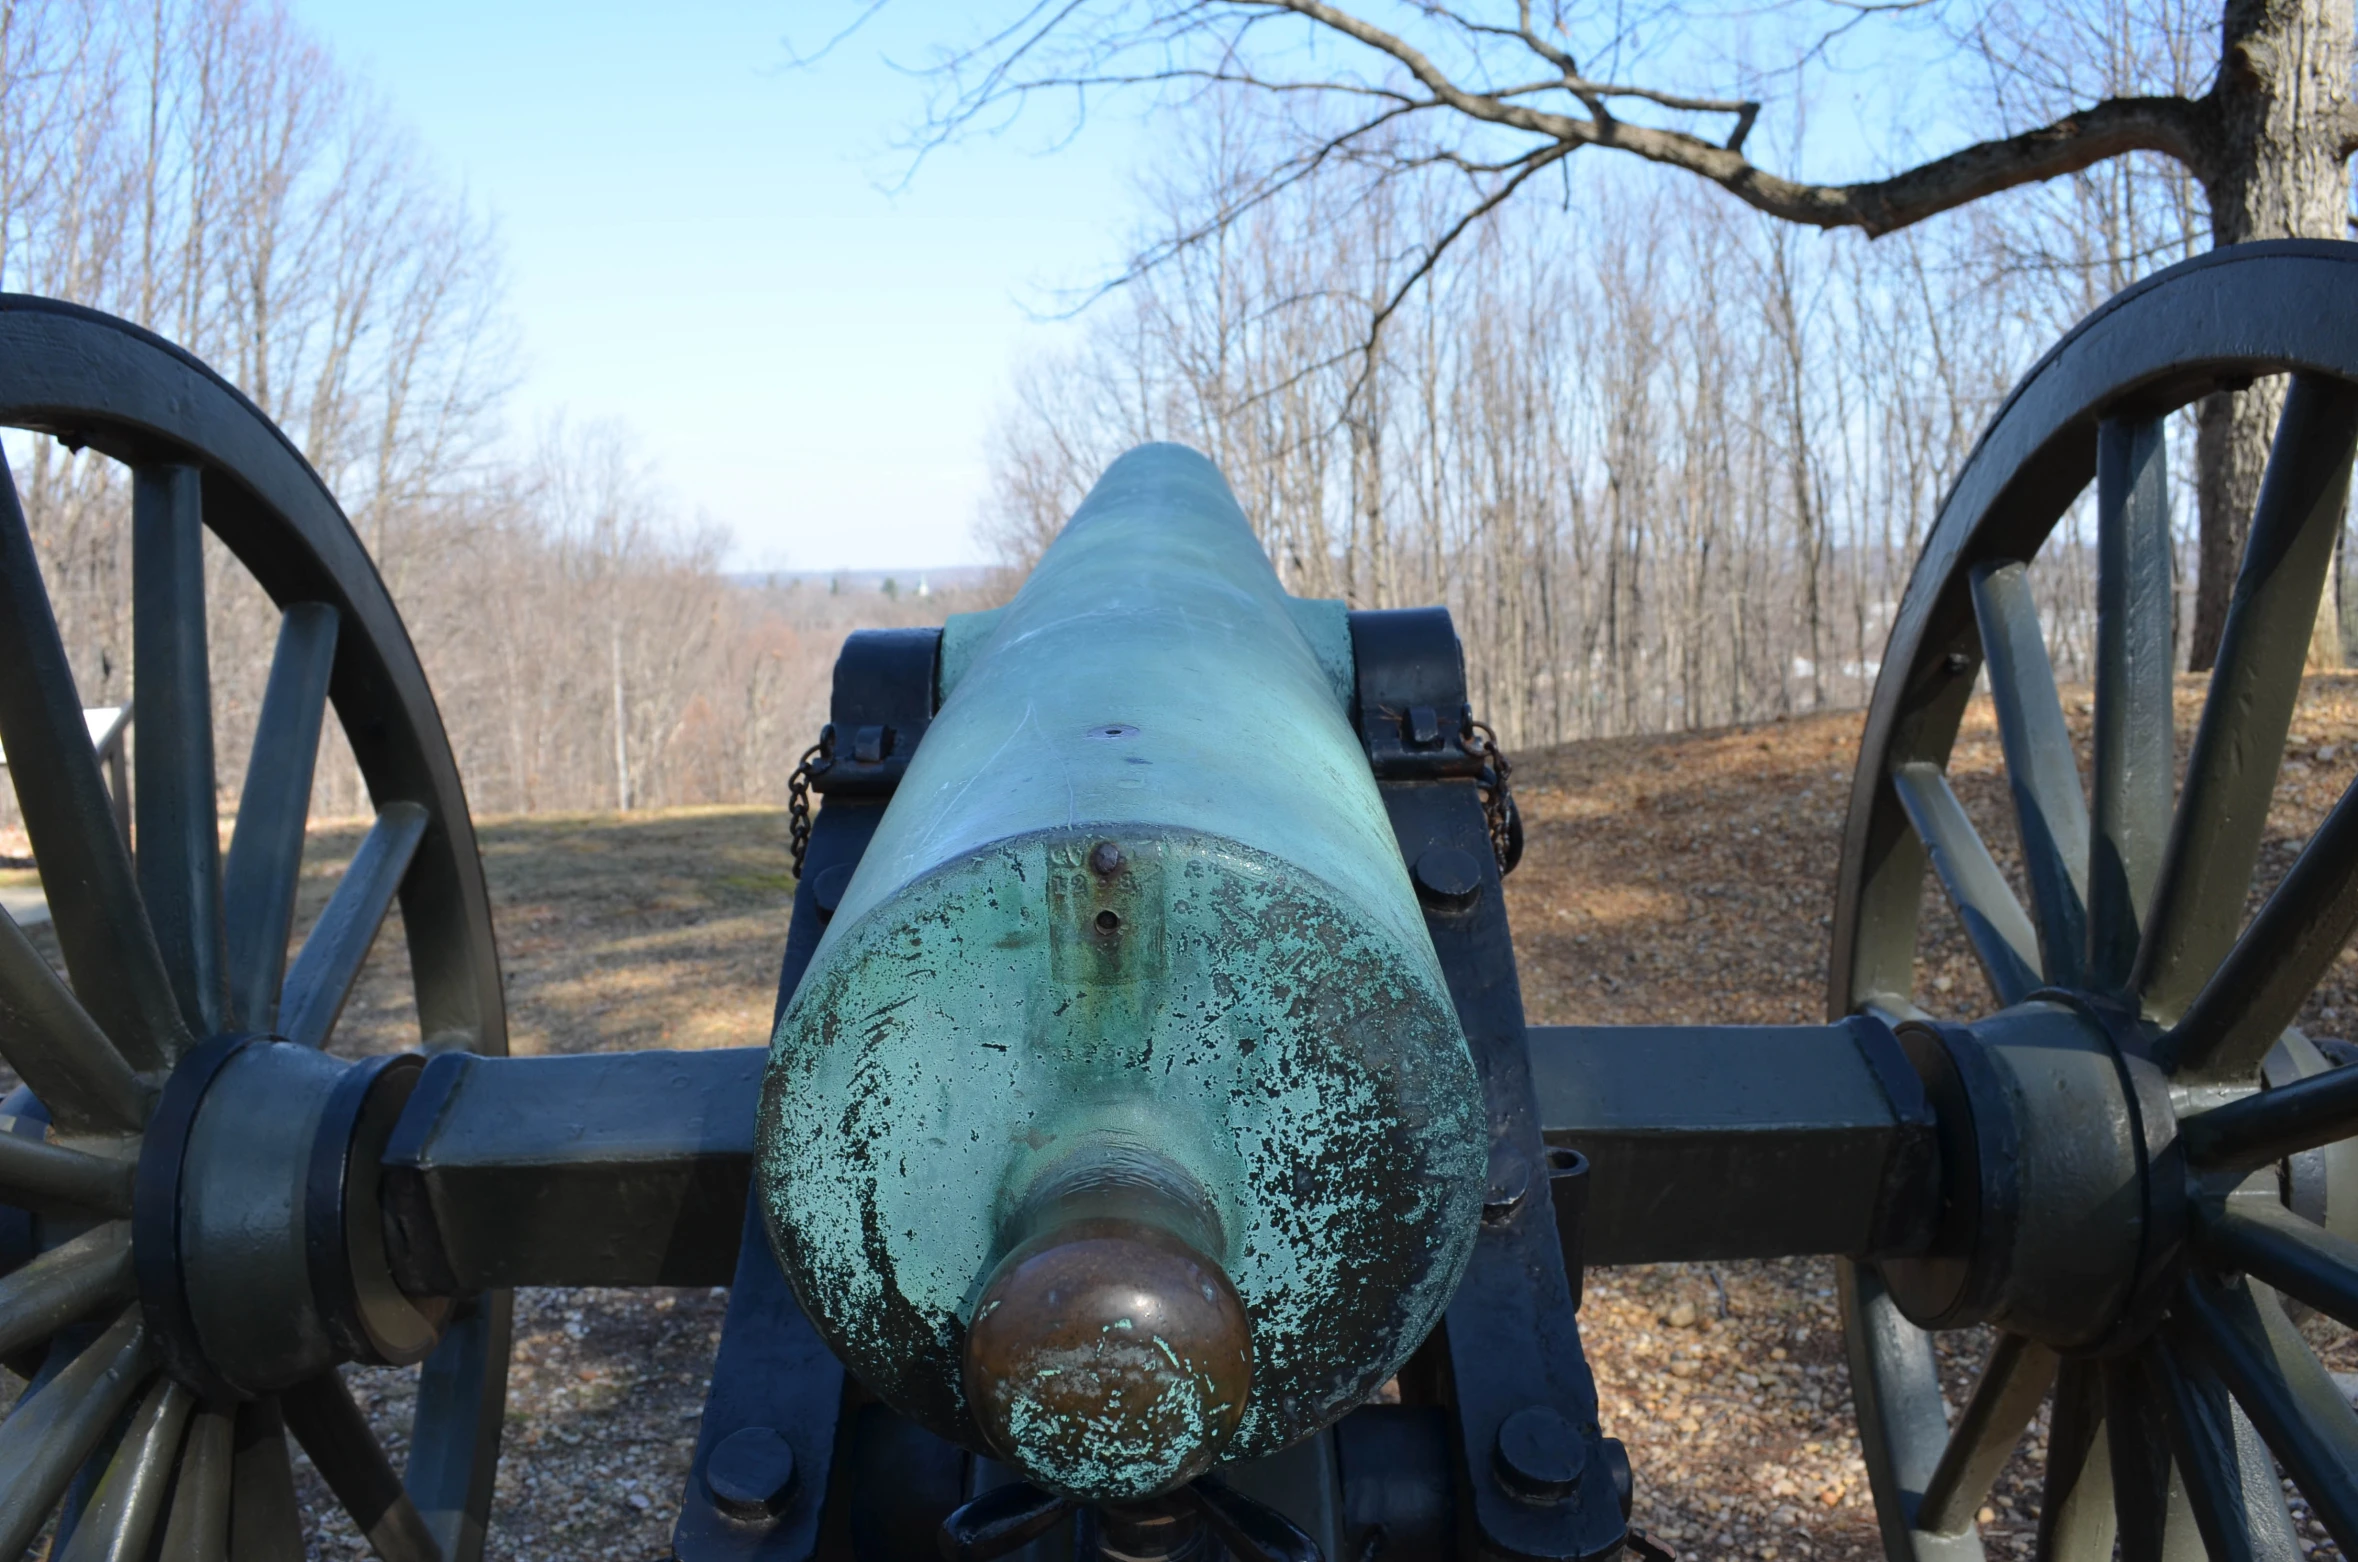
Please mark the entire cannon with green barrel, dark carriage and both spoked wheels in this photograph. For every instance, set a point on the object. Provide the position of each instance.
(1152, 1084)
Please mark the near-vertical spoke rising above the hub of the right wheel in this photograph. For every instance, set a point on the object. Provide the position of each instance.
(2135, 648)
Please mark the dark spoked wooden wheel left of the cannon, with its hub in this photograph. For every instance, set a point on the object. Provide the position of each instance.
(185, 1304)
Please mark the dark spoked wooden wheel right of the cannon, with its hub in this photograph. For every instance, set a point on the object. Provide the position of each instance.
(2114, 1164)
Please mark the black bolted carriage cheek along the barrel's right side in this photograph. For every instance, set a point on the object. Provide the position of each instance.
(1536, 1474)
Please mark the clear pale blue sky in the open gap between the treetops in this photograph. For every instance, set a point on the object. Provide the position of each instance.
(702, 244)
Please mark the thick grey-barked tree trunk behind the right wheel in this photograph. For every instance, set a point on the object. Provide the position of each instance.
(2274, 173)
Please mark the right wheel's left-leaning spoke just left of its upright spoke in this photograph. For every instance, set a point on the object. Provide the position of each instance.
(2050, 810)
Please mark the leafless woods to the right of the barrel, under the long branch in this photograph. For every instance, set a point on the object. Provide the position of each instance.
(1668, 461)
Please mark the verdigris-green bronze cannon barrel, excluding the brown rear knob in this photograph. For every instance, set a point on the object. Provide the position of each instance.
(1135, 905)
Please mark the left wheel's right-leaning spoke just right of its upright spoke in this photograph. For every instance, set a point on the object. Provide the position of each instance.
(265, 851)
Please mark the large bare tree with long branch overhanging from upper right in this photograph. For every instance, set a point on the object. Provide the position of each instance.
(1484, 98)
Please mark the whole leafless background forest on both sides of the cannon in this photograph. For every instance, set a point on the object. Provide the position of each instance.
(1666, 459)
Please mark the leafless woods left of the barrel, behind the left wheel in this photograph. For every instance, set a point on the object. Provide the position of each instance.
(202, 166)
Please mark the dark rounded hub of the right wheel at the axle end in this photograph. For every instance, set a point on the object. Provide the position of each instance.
(2064, 1212)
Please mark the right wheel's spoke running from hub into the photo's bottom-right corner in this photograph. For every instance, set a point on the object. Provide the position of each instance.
(2288, 1396)
